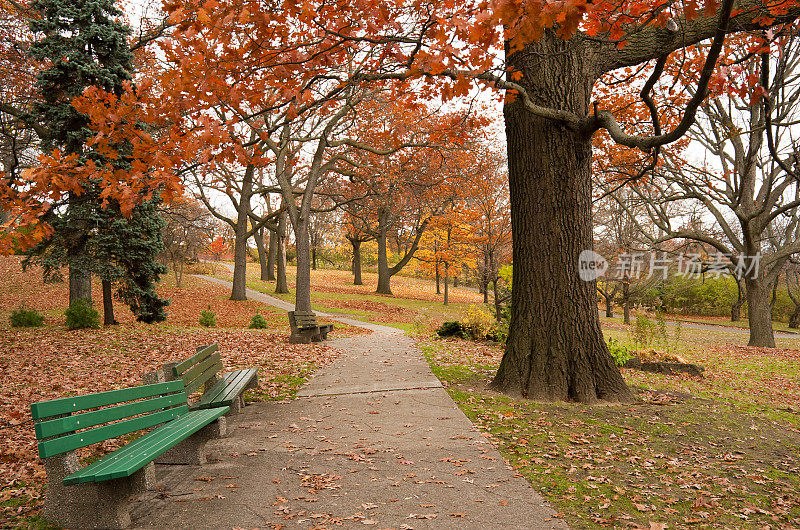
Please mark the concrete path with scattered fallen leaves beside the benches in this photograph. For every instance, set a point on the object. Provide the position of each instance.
(373, 439)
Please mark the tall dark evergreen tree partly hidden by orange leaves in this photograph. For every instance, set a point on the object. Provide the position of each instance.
(82, 45)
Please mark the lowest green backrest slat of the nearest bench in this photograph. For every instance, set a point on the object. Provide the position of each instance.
(69, 442)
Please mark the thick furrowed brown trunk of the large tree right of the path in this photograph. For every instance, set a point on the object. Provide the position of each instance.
(555, 348)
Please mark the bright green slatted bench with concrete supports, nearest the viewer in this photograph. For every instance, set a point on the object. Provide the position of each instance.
(98, 495)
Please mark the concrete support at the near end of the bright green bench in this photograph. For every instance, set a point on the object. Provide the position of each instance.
(95, 504)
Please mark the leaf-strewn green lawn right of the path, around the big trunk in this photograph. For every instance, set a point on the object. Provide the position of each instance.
(718, 452)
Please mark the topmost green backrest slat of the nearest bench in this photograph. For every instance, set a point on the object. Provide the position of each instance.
(55, 407)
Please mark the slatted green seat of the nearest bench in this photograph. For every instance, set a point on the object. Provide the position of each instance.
(128, 459)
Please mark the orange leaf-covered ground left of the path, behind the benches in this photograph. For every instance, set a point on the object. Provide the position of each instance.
(51, 362)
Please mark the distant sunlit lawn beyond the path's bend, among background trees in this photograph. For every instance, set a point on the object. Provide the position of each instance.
(414, 300)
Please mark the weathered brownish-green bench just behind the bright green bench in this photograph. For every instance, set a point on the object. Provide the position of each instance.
(203, 370)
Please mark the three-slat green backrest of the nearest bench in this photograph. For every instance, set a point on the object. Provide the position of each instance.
(68, 423)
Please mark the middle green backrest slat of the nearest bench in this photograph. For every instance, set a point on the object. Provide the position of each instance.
(68, 424)
